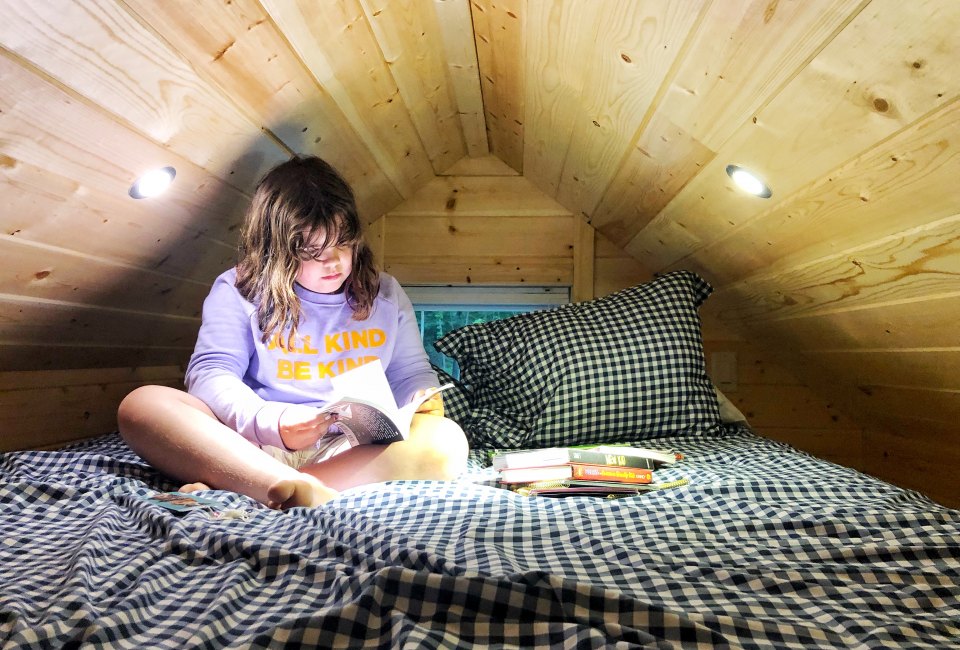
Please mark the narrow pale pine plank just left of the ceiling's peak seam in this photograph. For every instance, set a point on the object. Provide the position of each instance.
(456, 31)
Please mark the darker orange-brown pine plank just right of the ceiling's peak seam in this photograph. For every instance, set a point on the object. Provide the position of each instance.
(499, 38)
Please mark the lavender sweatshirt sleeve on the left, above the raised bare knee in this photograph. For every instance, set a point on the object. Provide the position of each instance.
(220, 360)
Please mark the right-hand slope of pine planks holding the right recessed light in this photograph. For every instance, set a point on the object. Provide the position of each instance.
(849, 109)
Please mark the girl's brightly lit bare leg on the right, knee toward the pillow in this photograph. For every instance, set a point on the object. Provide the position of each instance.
(436, 449)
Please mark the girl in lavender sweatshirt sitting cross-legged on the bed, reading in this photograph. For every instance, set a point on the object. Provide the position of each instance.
(304, 304)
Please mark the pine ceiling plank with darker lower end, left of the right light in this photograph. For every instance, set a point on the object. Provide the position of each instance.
(742, 52)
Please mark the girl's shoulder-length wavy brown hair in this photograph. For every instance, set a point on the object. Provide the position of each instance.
(292, 203)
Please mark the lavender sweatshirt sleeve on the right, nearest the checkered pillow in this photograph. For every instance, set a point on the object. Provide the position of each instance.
(409, 369)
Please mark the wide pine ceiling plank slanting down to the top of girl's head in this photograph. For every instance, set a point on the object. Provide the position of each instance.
(239, 49)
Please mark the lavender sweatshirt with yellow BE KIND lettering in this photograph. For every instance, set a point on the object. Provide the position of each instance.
(247, 383)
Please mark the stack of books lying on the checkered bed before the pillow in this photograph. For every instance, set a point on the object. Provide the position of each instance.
(609, 471)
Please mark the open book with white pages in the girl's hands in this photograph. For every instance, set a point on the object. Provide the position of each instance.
(367, 413)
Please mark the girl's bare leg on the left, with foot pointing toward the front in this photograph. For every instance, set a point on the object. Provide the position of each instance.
(179, 435)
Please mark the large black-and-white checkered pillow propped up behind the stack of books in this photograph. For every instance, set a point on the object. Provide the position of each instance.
(619, 368)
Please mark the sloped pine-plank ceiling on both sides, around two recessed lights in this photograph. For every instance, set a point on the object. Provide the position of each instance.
(625, 112)
